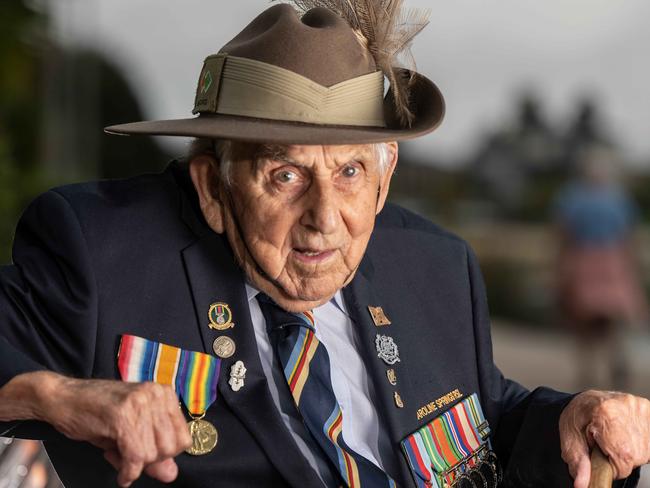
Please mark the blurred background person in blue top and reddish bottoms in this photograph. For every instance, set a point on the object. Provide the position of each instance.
(598, 290)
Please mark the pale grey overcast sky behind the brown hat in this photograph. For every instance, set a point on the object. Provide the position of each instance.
(481, 53)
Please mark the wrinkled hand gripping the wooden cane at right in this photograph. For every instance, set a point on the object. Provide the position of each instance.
(619, 423)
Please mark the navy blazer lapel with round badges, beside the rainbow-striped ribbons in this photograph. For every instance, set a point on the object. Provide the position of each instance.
(215, 277)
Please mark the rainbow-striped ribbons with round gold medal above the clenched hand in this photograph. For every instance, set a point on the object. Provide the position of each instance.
(193, 375)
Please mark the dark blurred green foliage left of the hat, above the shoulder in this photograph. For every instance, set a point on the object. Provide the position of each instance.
(53, 105)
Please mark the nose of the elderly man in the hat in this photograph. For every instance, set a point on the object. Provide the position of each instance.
(322, 212)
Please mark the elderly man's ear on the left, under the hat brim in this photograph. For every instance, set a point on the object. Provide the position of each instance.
(204, 174)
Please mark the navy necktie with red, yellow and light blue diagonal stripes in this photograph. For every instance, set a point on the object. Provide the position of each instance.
(306, 367)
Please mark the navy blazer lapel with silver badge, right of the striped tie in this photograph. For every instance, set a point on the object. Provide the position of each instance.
(359, 294)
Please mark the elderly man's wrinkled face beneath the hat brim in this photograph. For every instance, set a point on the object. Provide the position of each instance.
(305, 215)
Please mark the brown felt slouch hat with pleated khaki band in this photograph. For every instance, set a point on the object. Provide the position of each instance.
(298, 80)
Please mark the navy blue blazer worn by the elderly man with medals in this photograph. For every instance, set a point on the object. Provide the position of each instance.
(97, 260)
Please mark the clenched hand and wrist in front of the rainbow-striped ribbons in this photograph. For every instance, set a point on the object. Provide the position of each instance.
(139, 426)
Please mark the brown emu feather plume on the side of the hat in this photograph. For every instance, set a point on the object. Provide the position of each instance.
(386, 29)
